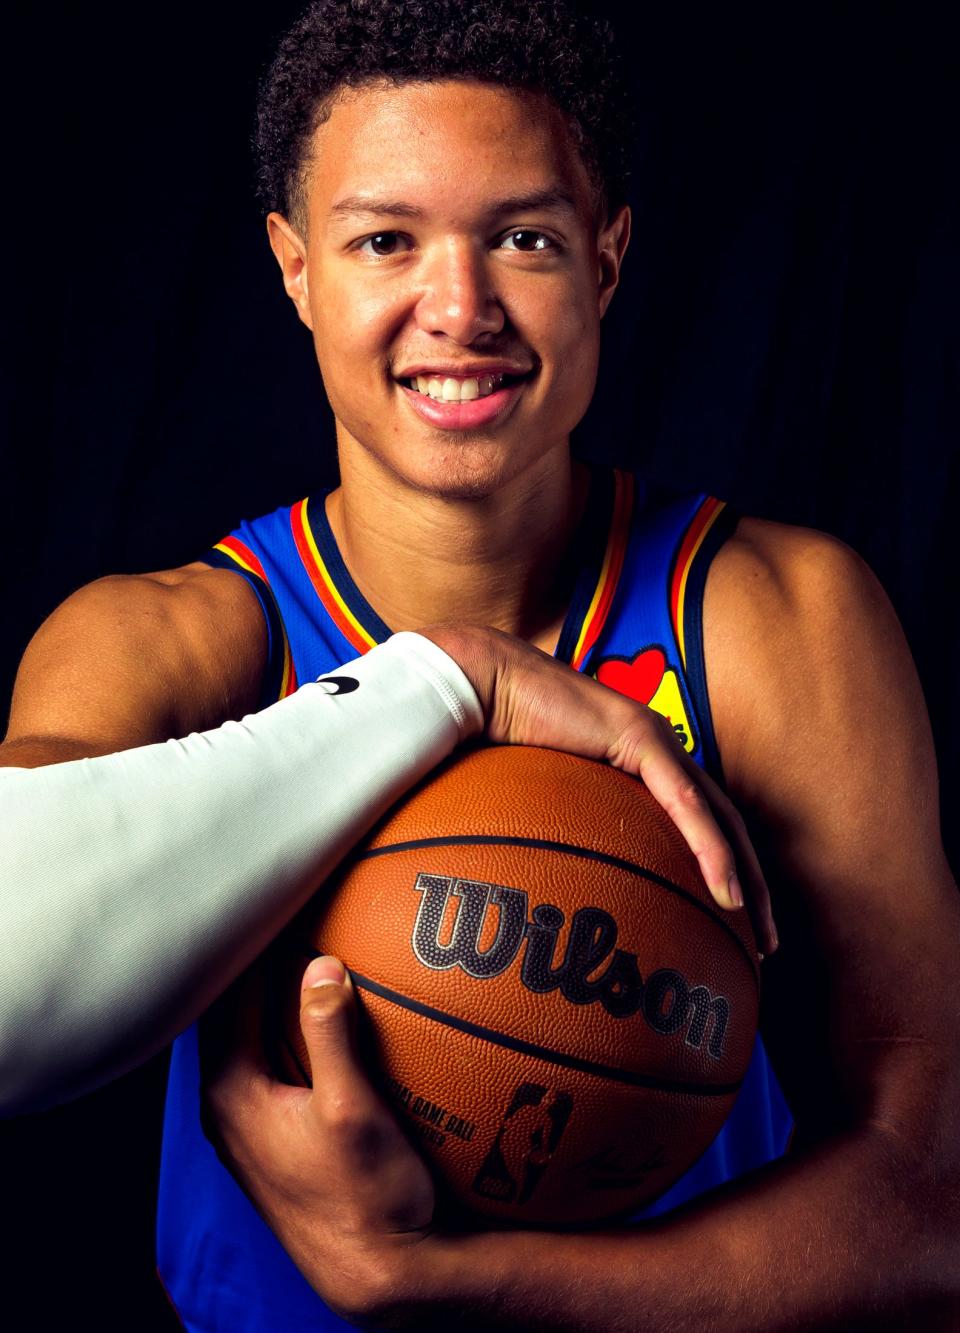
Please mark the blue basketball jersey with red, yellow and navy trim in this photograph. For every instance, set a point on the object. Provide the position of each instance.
(635, 623)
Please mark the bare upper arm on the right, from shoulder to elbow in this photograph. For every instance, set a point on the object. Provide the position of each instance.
(827, 750)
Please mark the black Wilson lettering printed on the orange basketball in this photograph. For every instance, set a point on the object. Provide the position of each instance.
(666, 1000)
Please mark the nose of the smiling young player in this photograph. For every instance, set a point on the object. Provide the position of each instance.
(458, 294)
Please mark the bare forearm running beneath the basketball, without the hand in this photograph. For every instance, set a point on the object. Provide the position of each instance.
(851, 1236)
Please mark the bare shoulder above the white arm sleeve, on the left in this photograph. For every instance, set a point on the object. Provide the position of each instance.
(134, 659)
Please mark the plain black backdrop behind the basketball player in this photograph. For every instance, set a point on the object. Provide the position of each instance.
(786, 338)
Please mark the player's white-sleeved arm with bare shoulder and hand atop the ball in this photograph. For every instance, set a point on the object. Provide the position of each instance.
(143, 874)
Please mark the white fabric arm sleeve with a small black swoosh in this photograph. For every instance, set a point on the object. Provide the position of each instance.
(135, 887)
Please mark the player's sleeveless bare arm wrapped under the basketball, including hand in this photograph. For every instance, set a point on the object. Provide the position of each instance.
(827, 748)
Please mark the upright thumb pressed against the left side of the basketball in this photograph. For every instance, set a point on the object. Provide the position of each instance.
(329, 1024)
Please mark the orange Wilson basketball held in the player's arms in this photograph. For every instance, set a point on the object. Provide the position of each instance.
(559, 1012)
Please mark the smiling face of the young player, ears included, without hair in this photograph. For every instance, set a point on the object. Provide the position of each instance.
(454, 278)
